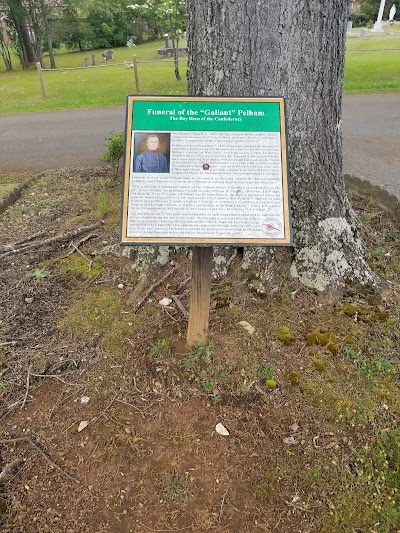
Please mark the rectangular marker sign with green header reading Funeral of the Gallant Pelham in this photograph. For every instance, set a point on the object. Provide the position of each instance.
(205, 171)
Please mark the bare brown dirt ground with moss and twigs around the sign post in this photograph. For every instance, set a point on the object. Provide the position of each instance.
(108, 420)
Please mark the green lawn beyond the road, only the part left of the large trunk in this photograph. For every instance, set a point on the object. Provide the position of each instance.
(91, 87)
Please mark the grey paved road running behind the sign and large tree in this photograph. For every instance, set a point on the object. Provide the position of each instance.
(39, 141)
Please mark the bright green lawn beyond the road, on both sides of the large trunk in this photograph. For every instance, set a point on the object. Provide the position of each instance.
(372, 65)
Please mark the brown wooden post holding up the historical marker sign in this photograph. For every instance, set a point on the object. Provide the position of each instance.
(200, 295)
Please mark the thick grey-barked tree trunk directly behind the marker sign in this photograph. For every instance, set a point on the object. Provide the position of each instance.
(295, 49)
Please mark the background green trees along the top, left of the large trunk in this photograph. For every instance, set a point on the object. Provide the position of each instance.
(34, 25)
